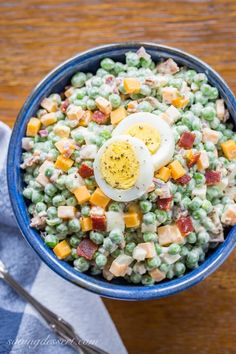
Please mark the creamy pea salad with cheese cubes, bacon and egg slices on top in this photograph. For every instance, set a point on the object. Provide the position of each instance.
(130, 172)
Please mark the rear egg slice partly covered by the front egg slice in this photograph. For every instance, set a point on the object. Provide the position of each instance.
(153, 131)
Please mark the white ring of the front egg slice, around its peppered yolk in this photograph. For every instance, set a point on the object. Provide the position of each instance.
(144, 178)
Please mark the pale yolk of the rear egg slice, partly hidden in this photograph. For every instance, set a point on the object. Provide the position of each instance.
(147, 133)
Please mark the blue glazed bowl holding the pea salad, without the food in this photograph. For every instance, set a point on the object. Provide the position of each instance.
(55, 81)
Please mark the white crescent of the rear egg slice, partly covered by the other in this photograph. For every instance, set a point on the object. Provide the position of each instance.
(166, 149)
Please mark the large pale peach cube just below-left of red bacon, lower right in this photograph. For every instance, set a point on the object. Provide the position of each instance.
(169, 234)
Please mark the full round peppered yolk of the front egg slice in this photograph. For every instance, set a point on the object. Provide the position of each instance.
(119, 165)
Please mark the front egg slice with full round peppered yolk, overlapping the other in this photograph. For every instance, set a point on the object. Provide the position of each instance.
(123, 168)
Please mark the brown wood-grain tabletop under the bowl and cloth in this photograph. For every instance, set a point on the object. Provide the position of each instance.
(36, 35)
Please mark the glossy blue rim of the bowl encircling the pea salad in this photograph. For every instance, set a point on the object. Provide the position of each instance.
(91, 283)
